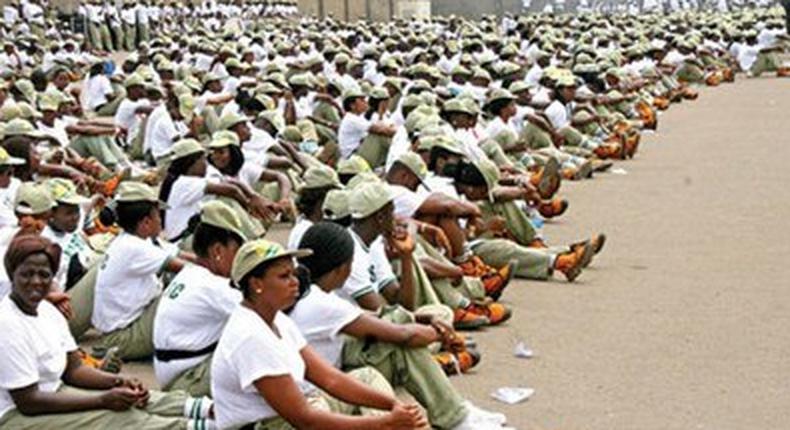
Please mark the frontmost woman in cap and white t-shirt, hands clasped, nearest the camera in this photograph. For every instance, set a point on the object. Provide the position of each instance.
(262, 362)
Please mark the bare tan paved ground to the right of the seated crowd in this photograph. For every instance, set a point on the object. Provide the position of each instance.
(682, 322)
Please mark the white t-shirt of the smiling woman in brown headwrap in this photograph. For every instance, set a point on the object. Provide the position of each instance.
(33, 349)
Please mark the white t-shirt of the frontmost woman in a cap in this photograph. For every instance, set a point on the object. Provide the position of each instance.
(249, 350)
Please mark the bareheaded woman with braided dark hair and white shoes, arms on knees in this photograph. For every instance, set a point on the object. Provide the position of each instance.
(388, 344)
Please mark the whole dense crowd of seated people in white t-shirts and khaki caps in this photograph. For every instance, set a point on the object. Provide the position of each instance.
(414, 163)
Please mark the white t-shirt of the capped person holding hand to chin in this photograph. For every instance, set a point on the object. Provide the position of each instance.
(370, 270)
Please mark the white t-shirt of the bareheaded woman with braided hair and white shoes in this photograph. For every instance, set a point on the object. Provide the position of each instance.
(320, 317)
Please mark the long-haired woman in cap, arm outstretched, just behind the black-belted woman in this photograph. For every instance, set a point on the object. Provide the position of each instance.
(187, 185)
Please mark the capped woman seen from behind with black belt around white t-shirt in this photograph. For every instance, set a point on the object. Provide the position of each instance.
(196, 305)
